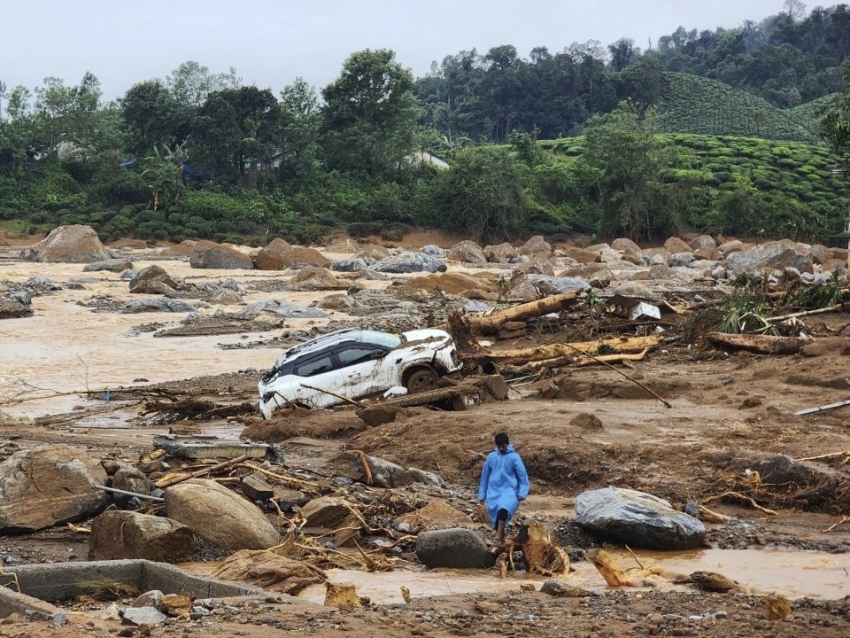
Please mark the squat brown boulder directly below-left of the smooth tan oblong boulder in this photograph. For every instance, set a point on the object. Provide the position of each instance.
(122, 534)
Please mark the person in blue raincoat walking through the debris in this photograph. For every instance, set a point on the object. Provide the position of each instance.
(503, 485)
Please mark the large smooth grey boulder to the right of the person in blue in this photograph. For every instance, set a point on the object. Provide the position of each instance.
(637, 519)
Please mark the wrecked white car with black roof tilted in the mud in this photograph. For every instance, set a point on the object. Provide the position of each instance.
(355, 364)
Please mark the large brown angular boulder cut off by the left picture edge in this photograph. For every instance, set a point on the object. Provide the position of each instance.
(48, 486)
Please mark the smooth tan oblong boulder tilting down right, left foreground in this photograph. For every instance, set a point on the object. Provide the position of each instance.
(219, 515)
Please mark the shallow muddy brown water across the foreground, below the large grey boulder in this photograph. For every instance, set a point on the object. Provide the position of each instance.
(792, 574)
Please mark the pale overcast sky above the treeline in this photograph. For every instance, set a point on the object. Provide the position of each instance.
(271, 42)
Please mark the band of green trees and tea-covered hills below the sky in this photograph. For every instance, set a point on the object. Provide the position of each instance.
(667, 140)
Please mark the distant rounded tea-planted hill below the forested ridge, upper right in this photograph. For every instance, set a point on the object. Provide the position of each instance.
(693, 104)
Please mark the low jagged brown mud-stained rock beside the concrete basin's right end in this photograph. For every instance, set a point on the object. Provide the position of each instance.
(262, 568)
